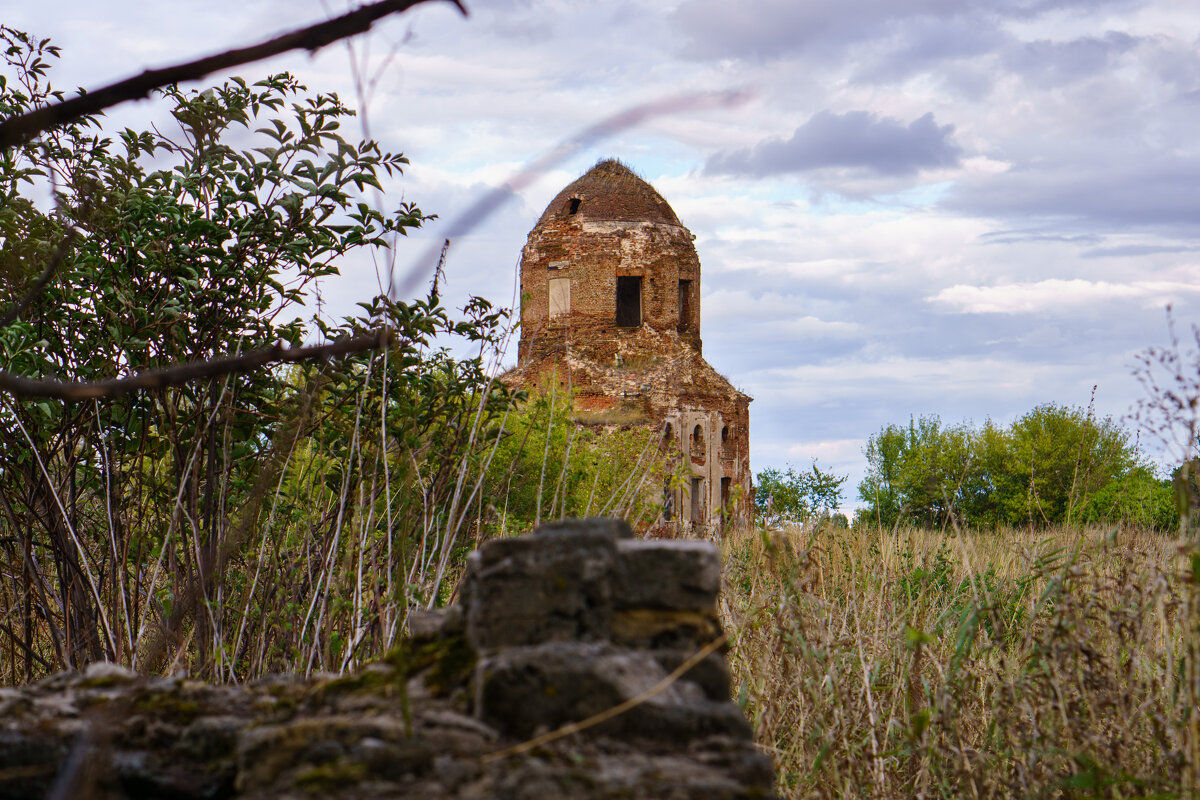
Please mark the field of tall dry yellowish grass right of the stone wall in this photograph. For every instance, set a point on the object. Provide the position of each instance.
(926, 664)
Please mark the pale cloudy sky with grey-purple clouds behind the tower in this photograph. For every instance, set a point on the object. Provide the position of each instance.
(964, 208)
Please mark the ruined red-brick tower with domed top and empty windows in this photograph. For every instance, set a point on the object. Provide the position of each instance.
(610, 310)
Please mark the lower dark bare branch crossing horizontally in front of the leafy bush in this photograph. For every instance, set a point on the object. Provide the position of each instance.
(175, 376)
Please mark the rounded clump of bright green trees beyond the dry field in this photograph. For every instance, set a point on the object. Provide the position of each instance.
(1054, 466)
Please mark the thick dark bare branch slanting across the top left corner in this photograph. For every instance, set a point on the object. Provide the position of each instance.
(20, 130)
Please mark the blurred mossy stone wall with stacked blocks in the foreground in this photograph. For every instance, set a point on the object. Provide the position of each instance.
(549, 630)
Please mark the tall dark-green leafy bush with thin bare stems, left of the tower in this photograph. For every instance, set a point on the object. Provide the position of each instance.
(176, 522)
